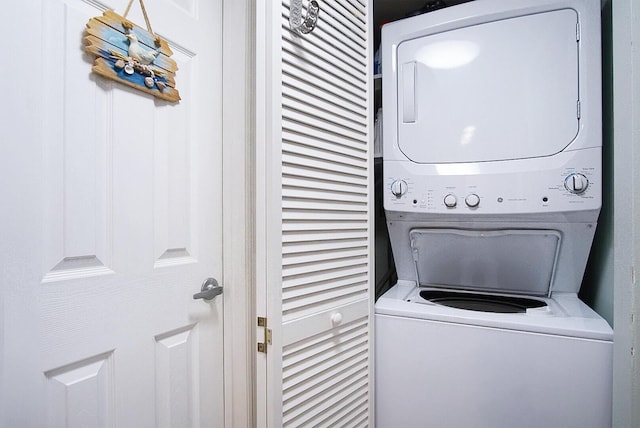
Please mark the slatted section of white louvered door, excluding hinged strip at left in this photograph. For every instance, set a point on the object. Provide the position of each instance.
(326, 215)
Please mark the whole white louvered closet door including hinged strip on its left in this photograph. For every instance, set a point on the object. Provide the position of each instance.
(315, 218)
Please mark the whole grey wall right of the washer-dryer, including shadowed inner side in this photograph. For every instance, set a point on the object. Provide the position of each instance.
(609, 283)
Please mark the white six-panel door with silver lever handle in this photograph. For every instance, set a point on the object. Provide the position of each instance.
(111, 221)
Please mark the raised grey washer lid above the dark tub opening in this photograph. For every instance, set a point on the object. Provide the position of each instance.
(519, 261)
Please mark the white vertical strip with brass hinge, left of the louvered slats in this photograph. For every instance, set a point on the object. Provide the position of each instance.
(268, 209)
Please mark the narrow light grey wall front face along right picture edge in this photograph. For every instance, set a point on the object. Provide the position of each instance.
(625, 30)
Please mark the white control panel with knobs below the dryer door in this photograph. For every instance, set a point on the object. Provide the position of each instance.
(564, 182)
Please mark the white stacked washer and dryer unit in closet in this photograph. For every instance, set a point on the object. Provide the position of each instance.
(492, 171)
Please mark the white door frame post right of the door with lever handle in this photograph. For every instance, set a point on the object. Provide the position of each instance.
(238, 125)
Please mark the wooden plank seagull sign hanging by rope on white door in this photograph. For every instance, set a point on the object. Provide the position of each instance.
(128, 54)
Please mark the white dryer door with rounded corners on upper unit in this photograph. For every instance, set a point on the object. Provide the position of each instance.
(501, 90)
